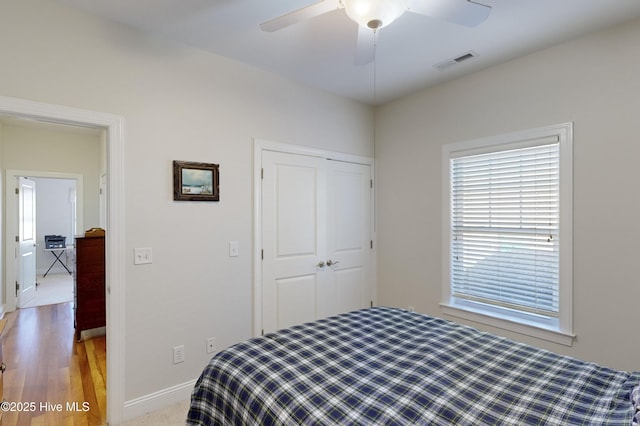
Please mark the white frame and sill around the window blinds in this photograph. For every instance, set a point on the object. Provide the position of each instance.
(558, 330)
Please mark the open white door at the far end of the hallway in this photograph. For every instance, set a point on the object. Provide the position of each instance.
(26, 276)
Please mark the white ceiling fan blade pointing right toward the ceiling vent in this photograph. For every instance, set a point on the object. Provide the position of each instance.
(463, 12)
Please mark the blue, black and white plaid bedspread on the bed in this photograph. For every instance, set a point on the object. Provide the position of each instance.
(387, 366)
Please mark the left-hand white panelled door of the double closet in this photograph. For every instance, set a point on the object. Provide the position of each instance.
(293, 226)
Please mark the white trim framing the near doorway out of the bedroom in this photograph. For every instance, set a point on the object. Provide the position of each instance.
(115, 253)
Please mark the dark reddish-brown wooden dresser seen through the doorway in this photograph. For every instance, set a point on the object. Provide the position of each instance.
(89, 289)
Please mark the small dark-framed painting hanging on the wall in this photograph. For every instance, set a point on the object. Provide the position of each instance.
(196, 181)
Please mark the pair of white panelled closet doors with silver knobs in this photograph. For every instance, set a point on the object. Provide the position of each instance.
(316, 220)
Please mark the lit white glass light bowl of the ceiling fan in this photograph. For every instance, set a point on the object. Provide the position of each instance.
(375, 14)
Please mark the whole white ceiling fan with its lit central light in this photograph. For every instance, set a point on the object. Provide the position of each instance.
(371, 15)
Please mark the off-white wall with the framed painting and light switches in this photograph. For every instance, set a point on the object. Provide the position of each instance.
(178, 103)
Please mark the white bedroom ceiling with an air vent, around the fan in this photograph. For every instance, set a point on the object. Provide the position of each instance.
(321, 51)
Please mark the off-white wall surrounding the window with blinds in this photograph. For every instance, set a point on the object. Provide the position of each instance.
(592, 81)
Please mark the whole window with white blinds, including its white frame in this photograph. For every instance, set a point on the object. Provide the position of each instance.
(508, 231)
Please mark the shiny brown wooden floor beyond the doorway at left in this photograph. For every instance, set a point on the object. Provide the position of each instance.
(57, 380)
